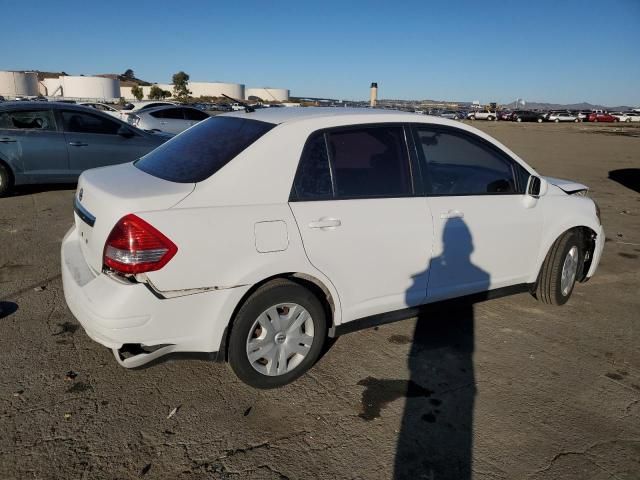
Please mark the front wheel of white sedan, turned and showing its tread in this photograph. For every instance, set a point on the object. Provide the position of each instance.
(565, 258)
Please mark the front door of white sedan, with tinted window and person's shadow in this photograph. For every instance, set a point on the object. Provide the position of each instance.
(486, 235)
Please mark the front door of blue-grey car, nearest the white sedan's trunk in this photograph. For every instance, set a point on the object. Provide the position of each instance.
(96, 140)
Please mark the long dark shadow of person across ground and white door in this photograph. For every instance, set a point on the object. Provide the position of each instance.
(435, 438)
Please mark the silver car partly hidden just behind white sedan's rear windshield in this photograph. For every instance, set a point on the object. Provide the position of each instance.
(171, 119)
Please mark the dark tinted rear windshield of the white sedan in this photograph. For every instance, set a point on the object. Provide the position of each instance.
(201, 151)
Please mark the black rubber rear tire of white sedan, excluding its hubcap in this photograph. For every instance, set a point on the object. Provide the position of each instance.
(255, 305)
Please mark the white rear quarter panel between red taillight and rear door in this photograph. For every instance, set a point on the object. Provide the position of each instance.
(217, 248)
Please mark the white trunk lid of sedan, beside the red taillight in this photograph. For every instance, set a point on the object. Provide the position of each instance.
(107, 194)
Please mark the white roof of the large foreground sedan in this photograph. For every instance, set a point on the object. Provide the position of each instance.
(294, 114)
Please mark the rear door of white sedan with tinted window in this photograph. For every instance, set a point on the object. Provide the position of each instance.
(361, 222)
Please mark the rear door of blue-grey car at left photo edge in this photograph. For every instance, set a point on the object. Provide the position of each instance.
(32, 144)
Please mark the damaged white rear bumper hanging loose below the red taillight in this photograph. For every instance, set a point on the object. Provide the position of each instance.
(114, 313)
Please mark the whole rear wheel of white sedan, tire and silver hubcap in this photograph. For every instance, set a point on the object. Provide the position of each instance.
(259, 325)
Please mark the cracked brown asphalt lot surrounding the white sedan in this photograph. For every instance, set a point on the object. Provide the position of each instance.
(504, 389)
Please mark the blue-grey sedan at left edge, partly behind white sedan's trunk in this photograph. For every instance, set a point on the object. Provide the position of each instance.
(55, 142)
